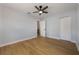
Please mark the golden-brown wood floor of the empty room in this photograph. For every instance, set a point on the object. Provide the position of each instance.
(40, 46)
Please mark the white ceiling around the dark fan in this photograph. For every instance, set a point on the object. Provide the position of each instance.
(53, 8)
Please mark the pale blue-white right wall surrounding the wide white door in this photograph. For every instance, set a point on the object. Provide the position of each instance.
(53, 24)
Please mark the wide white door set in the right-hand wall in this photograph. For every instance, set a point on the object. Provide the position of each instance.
(65, 28)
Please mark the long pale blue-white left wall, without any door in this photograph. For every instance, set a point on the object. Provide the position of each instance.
(16, 25)
